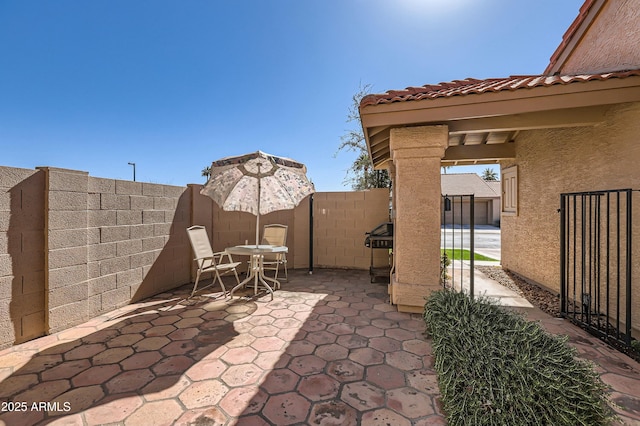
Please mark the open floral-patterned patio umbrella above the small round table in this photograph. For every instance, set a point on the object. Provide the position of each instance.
(257, 183)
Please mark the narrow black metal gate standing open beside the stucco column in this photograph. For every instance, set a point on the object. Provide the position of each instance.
(457, 236)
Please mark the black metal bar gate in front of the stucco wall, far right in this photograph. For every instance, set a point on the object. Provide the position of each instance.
(596, 239)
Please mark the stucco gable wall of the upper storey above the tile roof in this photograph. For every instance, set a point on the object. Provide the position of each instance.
(611, 44)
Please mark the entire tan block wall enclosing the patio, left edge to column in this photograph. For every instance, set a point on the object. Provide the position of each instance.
(74, 246)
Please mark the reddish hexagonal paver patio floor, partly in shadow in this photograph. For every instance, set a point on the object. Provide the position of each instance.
(328, 350)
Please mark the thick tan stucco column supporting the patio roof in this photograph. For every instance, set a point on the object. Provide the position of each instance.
(416, 153)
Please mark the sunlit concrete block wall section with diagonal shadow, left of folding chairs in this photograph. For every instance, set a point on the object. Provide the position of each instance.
(137, 244)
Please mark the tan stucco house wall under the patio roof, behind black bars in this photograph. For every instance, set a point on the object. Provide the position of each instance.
(551, 162)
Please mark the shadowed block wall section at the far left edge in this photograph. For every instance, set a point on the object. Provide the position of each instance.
(22, 293)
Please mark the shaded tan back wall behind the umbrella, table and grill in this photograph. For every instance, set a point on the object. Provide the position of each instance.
(341, 220)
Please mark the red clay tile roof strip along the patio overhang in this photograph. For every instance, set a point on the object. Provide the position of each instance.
(473, 86)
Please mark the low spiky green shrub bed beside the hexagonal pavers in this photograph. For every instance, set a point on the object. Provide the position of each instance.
(496, 368)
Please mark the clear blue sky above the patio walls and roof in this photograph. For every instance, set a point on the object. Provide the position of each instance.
(174, 85)
